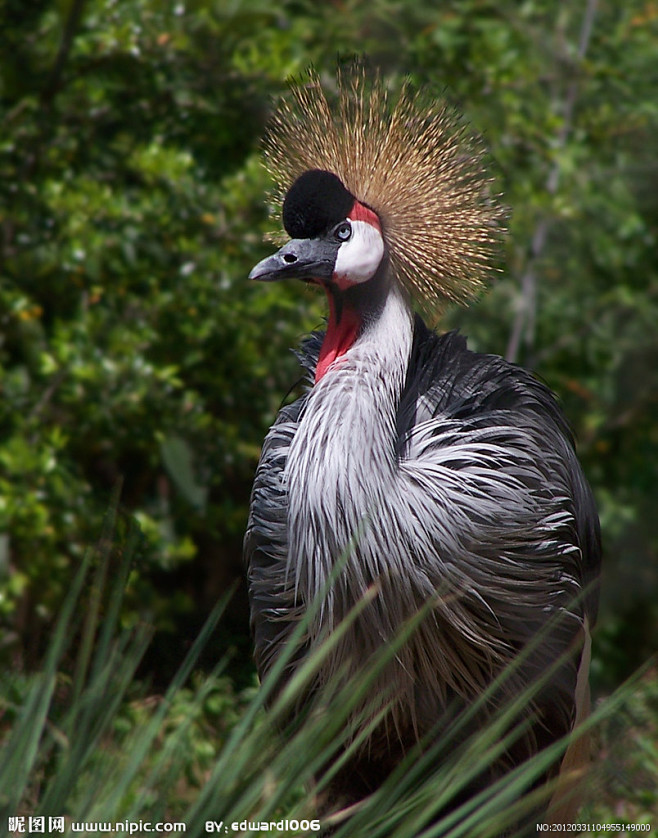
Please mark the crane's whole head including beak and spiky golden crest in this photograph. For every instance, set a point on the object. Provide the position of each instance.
(368, 179)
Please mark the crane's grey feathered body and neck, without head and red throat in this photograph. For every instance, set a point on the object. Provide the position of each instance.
(448, 476)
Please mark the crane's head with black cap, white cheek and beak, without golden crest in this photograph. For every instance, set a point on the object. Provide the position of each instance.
(335, 239)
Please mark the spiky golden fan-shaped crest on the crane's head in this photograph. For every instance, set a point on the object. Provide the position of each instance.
(414, 162)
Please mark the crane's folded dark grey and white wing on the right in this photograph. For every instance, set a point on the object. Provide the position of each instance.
(486, 443)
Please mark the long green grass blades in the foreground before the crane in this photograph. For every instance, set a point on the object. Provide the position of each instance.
(70, 751)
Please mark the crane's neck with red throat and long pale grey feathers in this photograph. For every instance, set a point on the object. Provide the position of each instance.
(343, 459)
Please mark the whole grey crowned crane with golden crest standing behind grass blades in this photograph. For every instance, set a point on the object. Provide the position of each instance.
(445, 478)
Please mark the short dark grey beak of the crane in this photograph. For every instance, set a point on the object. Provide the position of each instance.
(298, 259)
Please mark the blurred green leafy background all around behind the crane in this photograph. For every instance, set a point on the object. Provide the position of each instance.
(134, 353)
